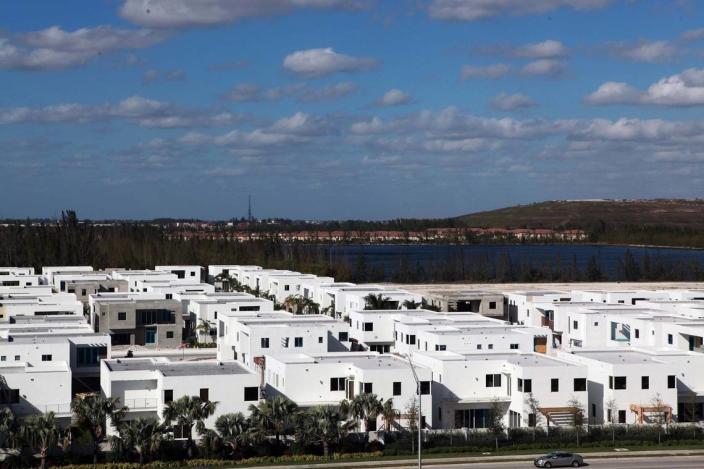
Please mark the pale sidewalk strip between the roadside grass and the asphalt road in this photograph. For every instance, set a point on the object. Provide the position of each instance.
(485, 459)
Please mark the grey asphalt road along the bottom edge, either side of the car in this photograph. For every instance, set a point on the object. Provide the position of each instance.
(665, 462)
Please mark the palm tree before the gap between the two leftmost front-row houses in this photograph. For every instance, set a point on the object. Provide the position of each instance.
(91, 411)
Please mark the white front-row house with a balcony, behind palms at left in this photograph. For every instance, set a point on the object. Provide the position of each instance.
(146, 385)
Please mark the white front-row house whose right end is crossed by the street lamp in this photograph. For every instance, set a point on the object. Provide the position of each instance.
(326, 379)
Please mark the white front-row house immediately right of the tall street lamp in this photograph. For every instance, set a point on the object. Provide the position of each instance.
(466, 387)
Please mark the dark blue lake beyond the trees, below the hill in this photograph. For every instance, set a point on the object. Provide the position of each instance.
(431, 258)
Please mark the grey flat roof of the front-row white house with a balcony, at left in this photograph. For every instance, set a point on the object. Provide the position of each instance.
(169, 368)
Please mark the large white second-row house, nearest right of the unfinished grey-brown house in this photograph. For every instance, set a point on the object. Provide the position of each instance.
(245, 336)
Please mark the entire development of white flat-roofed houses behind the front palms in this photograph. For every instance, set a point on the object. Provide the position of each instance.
(538, 356)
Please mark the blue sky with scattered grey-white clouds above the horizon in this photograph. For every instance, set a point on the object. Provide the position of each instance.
(345, 108)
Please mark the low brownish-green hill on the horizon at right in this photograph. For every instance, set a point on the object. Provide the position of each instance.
(588, 213)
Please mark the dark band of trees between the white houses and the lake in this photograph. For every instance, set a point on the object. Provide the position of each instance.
(137, 246)
